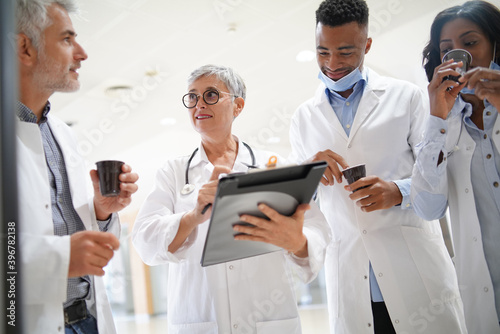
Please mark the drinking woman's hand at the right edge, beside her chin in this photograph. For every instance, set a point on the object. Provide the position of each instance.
(486, 83)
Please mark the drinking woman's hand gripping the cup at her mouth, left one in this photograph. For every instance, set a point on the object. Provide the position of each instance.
(442, 94)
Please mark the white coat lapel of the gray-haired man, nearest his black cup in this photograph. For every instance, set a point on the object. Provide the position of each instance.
(75, 169)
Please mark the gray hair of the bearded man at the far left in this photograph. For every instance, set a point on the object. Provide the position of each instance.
(32, 17)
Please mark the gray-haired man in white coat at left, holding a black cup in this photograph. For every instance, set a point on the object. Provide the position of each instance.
(65, 238)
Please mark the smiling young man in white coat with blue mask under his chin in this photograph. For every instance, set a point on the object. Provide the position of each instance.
(387, 270)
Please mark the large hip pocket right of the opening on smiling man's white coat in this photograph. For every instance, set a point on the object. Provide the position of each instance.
(433, 263)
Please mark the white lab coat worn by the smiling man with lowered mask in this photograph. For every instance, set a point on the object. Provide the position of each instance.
(408, 255)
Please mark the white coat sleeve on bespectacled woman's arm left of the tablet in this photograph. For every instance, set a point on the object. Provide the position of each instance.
(157, 223)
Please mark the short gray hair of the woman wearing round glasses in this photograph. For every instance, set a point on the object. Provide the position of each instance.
(227, 75)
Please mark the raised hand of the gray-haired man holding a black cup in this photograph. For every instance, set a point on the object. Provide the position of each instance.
(105, 206)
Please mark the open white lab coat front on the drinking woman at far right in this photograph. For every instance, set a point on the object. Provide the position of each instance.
(472, 270)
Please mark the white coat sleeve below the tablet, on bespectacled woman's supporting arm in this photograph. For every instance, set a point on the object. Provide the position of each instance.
(318, 234)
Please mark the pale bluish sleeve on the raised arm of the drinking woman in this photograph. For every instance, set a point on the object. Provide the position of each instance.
(429, 179)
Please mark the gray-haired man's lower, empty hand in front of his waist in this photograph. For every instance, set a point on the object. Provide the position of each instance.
(90, 252)
